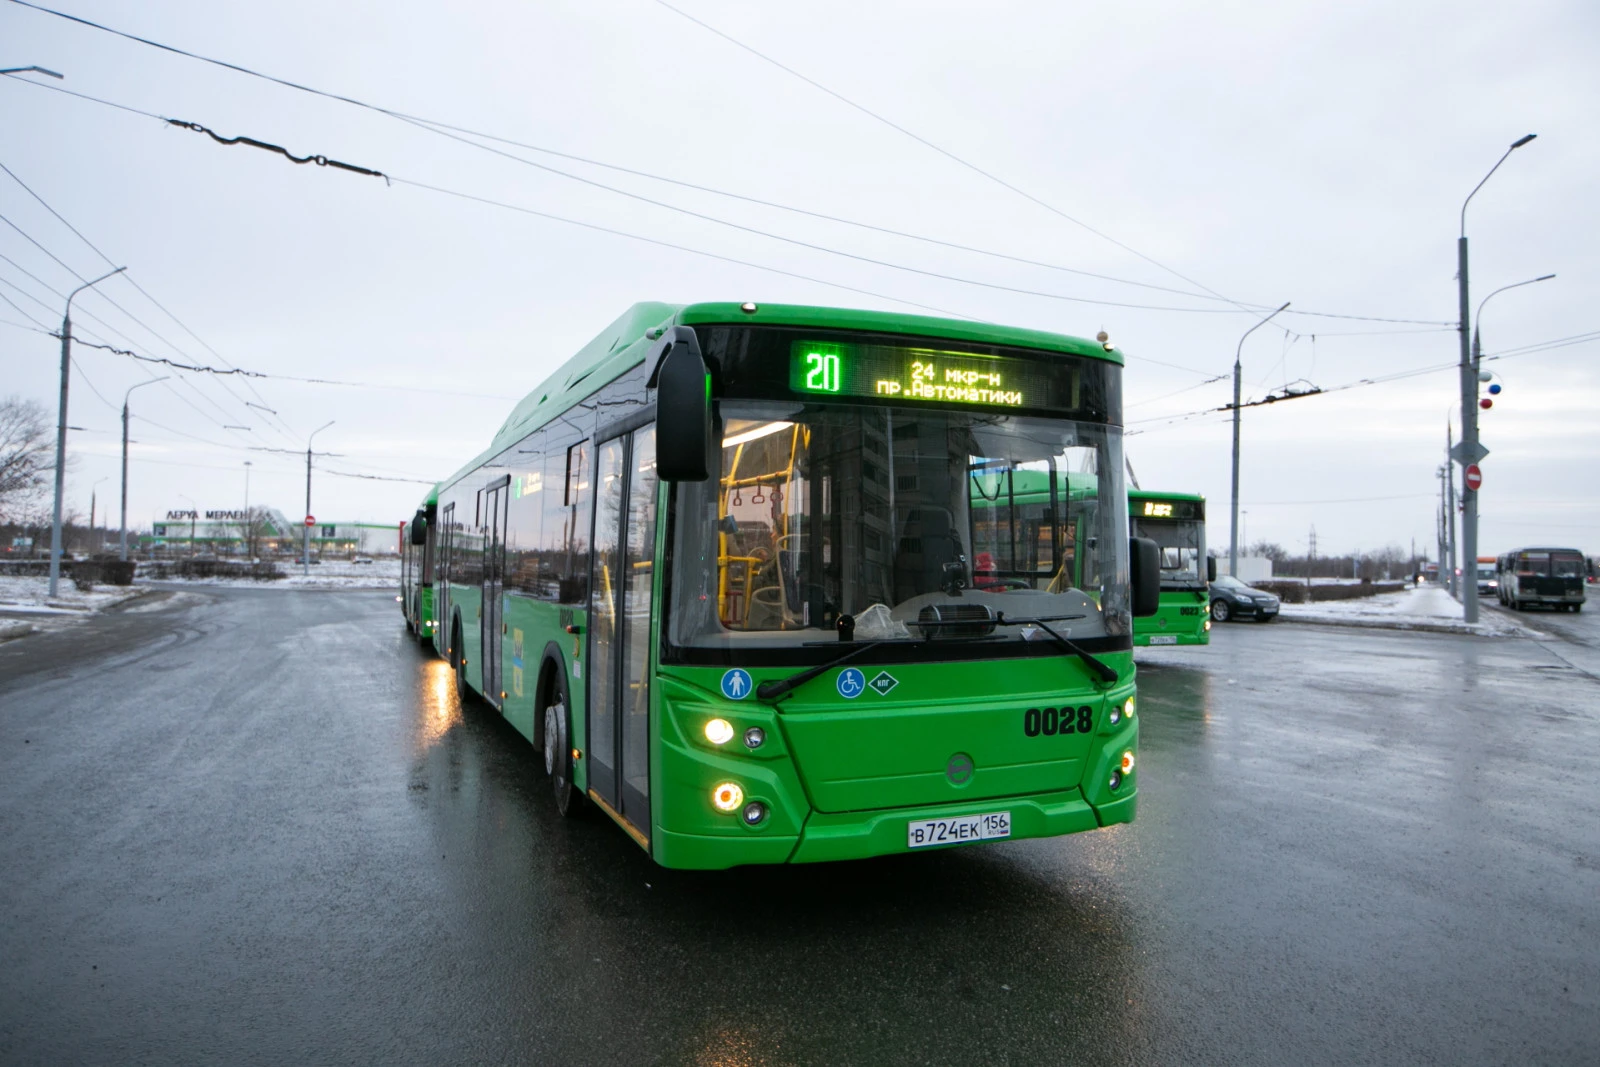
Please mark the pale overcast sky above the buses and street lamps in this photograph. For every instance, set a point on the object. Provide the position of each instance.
(1262, 153)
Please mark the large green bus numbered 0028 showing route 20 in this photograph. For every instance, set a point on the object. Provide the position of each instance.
(727, 572)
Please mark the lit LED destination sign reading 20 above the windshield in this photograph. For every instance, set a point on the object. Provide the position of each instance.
(914, 374)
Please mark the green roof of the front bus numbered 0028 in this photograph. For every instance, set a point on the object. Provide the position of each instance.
(625, 345)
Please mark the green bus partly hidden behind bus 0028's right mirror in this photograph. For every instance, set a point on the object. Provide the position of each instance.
(1177, 524)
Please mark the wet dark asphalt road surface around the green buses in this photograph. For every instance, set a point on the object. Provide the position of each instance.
(255, 828)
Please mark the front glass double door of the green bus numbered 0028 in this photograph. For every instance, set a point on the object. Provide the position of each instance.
(620, 599)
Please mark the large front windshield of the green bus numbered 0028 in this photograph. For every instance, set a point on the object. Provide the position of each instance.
(894, 518)
